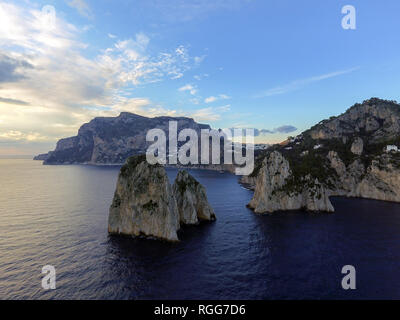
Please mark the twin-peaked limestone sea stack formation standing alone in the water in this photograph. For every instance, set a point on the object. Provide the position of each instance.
(145, 204)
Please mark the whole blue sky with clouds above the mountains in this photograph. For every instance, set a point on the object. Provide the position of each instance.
(279, 66)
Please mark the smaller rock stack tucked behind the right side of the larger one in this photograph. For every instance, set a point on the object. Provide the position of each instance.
(191, 199)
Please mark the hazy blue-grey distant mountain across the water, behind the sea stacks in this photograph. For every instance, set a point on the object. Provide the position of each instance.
(112, 140)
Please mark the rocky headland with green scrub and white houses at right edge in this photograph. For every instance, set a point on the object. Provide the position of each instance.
(343, 156)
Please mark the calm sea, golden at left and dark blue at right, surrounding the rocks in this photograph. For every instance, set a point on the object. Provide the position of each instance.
(57, 215)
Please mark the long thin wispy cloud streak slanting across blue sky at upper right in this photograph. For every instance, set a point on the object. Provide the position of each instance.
(295, 85)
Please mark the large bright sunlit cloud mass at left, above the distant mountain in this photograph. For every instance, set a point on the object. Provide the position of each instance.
(48, 68)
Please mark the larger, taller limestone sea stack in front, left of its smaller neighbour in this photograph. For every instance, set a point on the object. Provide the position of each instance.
(143, 202)
